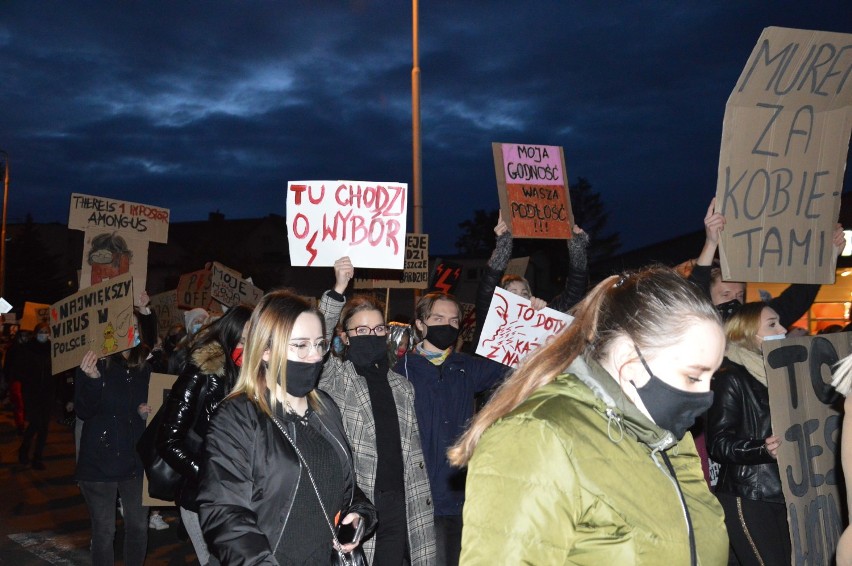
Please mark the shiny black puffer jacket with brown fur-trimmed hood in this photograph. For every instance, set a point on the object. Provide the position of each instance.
(199, 389)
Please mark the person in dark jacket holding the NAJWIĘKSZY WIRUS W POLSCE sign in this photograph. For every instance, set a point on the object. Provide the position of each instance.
(111, 396)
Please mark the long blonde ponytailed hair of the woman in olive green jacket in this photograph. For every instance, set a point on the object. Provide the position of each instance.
(654, 307)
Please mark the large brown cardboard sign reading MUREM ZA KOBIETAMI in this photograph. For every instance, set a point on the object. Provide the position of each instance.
(785, 139)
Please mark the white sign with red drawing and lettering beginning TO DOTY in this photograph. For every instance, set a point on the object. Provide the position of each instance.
(513, 329)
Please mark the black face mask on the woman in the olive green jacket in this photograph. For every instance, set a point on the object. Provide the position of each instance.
(671, 408)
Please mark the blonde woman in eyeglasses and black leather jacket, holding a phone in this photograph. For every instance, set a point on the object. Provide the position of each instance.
(278, 470)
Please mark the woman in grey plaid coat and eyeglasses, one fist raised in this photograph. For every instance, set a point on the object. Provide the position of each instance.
(378, 414)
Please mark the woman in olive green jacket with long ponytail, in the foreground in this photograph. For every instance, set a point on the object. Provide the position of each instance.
(582, 456)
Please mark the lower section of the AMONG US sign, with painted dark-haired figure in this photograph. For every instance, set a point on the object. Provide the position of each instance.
(106, 255)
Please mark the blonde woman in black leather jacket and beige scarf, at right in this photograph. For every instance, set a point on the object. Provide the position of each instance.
(740, 438)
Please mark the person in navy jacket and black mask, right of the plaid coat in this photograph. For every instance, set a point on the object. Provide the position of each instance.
(445, 384)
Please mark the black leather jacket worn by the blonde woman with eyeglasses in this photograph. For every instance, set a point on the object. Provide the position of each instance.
(250, 476)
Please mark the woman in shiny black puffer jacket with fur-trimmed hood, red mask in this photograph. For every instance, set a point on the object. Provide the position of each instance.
(209, 375)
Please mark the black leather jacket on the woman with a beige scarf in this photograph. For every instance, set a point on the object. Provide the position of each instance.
(738, 424)
